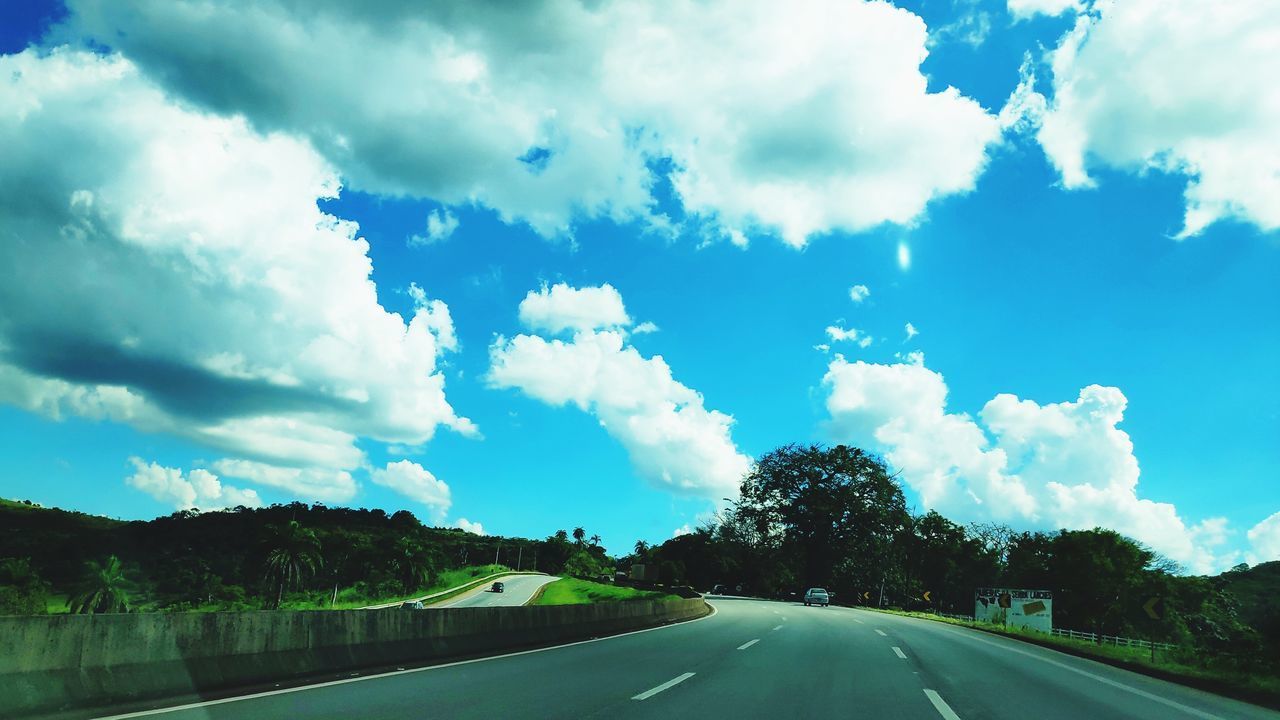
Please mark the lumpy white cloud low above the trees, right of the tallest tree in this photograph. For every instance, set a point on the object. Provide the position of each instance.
(1058, 466)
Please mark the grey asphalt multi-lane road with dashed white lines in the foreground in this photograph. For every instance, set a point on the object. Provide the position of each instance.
(756, 659)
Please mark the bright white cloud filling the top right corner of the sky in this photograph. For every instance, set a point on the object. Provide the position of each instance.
(1185, 88)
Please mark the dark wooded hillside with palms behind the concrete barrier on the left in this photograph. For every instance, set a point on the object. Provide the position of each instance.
(286, 557)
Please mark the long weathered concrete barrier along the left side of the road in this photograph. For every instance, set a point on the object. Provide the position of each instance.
(83, 662)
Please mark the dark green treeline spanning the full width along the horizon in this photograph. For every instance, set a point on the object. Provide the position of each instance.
(807, 516)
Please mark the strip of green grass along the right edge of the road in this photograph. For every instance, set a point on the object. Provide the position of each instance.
(1177, 666)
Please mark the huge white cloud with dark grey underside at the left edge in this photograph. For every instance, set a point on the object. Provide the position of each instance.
(221, 306)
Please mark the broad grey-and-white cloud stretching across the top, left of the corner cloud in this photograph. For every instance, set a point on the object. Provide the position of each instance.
(551, 112)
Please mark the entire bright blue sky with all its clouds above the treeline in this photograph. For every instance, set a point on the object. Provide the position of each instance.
(528, 268)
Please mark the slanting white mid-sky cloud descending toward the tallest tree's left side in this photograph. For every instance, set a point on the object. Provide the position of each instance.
(673, 439)
